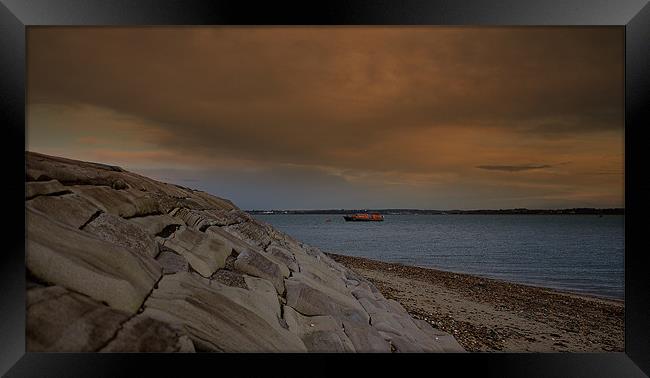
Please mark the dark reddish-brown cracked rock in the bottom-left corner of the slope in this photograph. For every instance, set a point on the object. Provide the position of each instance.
(65, 321)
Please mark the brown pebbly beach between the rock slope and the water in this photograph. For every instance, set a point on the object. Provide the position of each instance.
(487, 315)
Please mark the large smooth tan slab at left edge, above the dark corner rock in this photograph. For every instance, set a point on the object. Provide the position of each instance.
(80, 261)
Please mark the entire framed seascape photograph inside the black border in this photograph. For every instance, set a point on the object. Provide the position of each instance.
(438, 189)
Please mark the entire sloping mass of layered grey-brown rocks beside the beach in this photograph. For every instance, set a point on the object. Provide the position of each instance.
(118, 262)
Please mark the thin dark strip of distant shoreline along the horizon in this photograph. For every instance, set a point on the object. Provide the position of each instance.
(573, 211)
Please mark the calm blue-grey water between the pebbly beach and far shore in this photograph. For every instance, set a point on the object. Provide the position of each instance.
(579, 253)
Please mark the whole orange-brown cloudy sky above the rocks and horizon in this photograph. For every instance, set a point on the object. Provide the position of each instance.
(341, 117)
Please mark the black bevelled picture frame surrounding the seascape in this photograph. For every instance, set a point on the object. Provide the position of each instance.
(634, 15)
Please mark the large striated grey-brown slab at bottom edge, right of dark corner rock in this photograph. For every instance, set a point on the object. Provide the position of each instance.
(220, 318)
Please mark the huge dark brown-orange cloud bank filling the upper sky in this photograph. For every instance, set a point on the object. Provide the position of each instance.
(325, 95)
